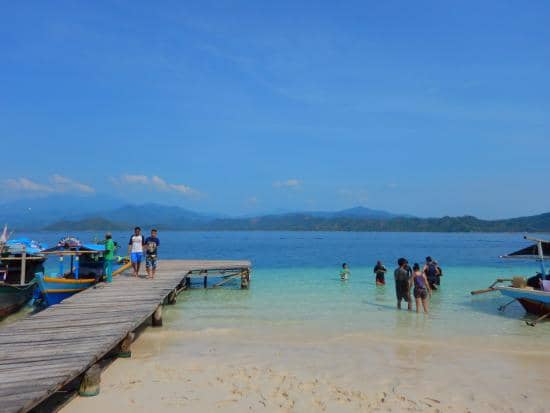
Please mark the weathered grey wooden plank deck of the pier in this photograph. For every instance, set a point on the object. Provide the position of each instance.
(42, 353)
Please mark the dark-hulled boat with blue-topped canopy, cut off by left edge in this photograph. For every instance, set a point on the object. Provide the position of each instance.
(20, 260)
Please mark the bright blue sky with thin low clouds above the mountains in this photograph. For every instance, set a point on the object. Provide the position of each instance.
(427, 107)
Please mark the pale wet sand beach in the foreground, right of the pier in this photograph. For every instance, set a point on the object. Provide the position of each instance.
(282, 370)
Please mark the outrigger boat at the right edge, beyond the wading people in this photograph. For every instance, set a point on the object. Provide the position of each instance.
(532, 293)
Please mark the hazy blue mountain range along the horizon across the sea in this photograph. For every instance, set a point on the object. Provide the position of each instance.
(61, 213)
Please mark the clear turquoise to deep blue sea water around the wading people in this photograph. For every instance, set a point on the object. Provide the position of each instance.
(295, 283)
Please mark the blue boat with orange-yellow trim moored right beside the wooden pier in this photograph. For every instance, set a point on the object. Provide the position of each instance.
(86, 269)
